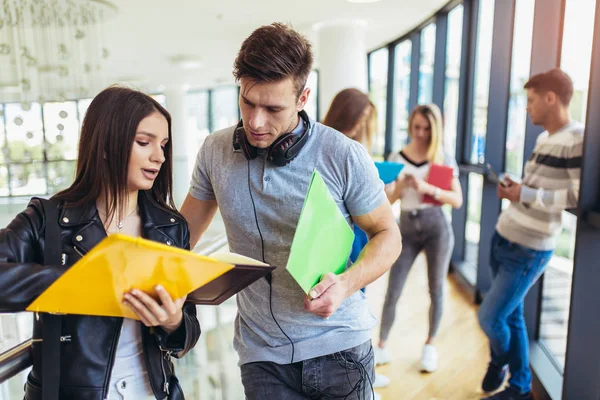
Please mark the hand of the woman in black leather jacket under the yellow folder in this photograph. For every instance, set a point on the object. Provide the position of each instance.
(168, 315)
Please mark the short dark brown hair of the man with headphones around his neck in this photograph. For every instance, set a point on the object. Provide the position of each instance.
(273, 53)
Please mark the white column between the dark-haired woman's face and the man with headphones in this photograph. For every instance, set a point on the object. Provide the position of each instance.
(175, 99)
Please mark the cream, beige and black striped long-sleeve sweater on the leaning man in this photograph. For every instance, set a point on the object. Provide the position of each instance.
(550, 185)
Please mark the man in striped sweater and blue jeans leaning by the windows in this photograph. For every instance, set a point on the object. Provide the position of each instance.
(526, 232)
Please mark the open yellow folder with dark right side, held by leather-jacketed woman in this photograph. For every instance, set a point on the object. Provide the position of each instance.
(95, 284)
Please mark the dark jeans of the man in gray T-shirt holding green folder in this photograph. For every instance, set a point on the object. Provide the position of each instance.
(348, 374)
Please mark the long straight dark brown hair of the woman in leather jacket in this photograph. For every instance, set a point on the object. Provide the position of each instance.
(105, 143)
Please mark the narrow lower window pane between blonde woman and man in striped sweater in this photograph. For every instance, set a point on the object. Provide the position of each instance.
(473, 227)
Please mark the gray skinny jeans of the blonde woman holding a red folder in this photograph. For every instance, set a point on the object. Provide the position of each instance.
(422, 230)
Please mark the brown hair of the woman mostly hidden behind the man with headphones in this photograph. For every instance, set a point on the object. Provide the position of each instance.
(349, 108)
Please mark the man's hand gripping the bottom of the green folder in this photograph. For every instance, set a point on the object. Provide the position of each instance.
(326, 296)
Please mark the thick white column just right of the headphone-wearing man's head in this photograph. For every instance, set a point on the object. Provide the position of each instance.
(341, 58)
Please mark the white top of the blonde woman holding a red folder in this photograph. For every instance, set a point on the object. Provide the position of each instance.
(411, 200)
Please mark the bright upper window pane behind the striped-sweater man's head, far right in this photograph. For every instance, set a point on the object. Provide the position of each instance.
(576, 54)
